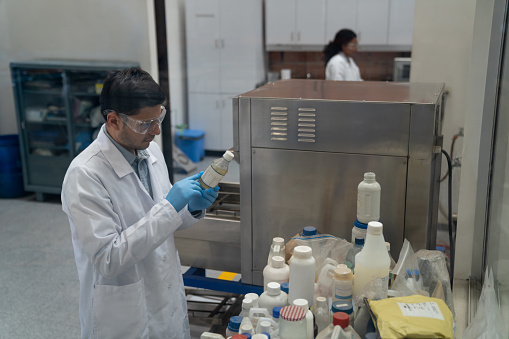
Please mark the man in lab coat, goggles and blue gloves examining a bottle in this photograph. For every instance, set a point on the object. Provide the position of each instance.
(123, 213)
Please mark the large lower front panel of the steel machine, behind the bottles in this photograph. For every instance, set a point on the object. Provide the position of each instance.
(298, 188)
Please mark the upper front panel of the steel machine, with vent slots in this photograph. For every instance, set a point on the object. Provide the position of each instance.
(331, 126)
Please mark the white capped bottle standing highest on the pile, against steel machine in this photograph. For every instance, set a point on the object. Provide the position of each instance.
(368, 199)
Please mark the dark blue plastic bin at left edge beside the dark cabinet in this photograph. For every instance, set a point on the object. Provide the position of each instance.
(11, 176)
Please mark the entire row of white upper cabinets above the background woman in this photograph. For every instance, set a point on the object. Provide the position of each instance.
(379, 24)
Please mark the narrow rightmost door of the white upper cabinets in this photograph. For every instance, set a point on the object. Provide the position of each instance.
(401, 22)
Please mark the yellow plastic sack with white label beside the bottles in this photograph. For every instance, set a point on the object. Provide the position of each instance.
(415, 316)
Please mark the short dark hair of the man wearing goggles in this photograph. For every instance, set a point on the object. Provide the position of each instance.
(129, 90)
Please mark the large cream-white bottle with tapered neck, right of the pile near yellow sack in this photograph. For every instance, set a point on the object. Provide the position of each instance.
(373, 260)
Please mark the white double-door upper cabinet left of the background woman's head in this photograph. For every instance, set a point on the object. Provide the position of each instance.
(294, 22)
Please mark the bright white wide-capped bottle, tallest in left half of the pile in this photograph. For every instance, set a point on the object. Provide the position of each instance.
(302, 274)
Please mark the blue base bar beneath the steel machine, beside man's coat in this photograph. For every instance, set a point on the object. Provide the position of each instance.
(195, 277)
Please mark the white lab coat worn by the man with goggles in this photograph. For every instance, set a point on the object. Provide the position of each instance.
(131, 284)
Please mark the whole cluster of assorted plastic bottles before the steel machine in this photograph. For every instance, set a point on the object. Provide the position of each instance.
(322, 310)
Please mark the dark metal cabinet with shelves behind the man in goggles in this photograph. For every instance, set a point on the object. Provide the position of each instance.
(57, 106)
